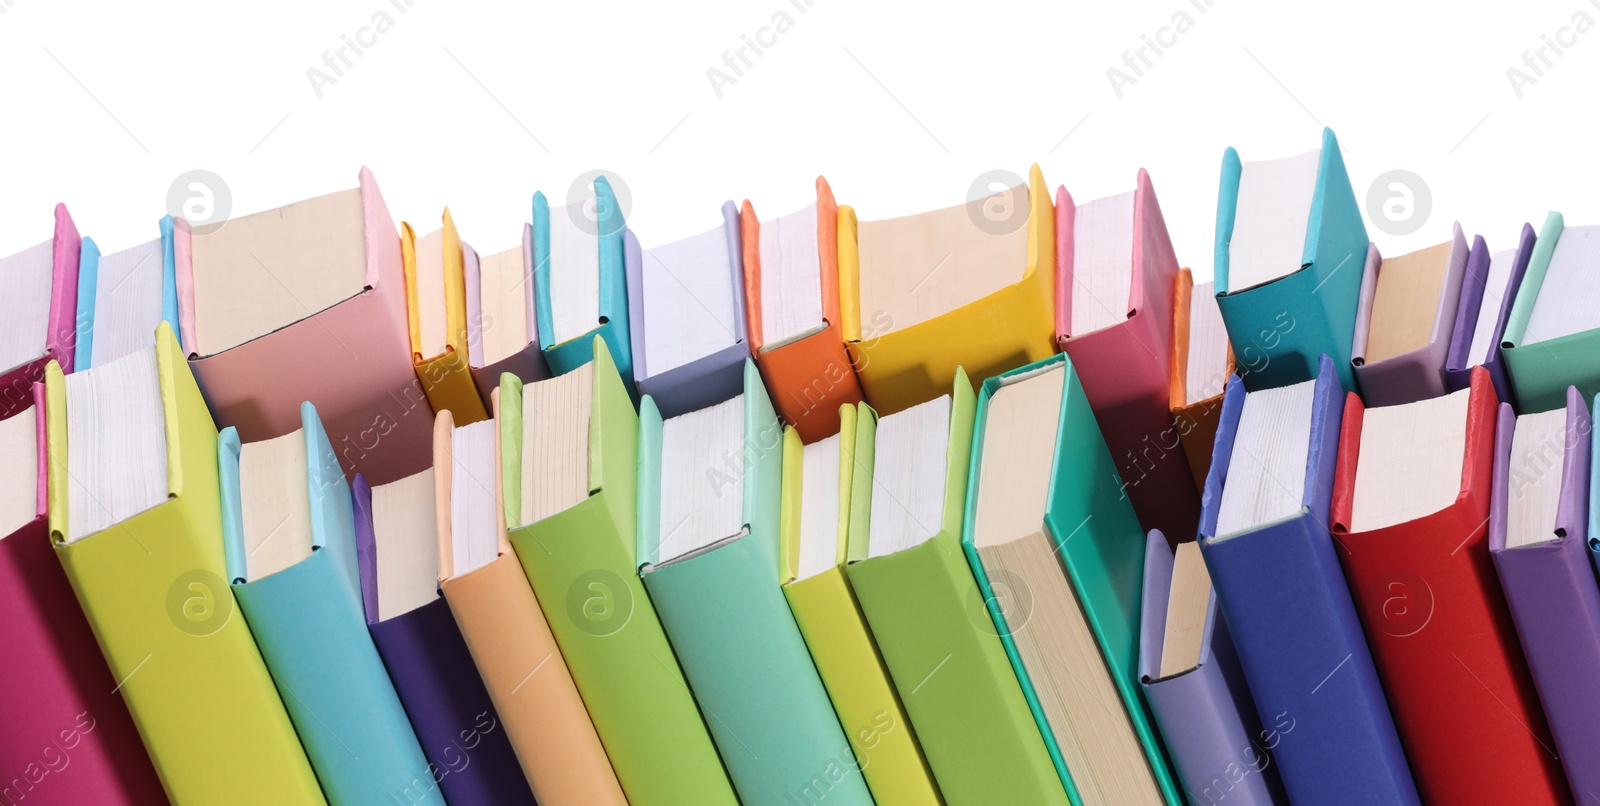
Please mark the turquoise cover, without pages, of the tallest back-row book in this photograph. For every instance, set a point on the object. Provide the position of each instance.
(1281, 329)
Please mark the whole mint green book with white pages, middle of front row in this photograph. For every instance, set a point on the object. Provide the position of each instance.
(708, 556)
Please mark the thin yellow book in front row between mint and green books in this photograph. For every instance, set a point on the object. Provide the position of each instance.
(814, 548)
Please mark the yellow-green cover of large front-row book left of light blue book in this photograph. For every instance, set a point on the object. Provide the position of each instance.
(156, 597)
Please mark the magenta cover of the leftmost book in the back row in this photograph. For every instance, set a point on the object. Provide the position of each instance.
(17, 385)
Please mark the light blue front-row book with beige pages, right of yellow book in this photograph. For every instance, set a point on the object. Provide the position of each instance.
(289, 535)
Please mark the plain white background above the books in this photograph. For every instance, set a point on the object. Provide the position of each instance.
(902, 106)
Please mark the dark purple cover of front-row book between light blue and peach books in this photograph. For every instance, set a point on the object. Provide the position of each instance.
(439, 685)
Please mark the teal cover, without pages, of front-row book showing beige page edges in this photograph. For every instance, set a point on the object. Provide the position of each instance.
(1102, 548)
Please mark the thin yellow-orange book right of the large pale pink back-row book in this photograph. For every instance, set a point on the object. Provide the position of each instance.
(436, 284)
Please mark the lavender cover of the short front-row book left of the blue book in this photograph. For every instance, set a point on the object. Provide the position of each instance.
(1207, 717)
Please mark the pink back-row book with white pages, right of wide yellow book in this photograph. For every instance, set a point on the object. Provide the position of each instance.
(1116, 276)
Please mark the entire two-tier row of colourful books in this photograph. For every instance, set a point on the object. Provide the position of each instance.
(988, 505)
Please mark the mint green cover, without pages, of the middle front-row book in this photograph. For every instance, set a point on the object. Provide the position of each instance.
(732, 631)
